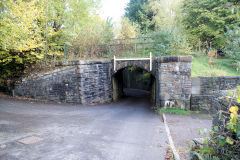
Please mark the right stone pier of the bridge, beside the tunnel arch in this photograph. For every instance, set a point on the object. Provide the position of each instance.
(174, 81)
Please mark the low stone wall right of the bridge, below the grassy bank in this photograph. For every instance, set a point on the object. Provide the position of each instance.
(205, 90)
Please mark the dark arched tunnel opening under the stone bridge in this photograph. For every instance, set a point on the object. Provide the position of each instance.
(135, 83)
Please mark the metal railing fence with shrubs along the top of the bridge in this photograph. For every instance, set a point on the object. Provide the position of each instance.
(131, 47)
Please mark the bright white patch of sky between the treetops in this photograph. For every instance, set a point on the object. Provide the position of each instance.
(113, 9)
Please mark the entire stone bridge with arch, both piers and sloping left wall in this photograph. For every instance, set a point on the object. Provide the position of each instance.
(96, 81)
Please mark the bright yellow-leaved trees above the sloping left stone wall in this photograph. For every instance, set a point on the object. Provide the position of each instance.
(37, 30)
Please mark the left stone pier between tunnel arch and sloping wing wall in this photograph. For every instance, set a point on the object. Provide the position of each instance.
(95, 82)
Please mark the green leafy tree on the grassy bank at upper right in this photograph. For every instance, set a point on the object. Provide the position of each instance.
(207, 20)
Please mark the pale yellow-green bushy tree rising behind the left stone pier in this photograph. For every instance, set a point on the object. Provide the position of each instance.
(91, 37)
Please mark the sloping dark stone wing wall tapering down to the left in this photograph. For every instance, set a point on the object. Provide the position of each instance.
(59, 85)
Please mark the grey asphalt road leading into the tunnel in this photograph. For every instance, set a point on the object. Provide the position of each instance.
(127, 130)
